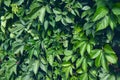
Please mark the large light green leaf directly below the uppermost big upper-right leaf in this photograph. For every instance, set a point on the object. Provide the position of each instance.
(103, 23)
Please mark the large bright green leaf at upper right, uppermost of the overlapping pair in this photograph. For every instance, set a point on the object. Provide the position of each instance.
(100, 13)
